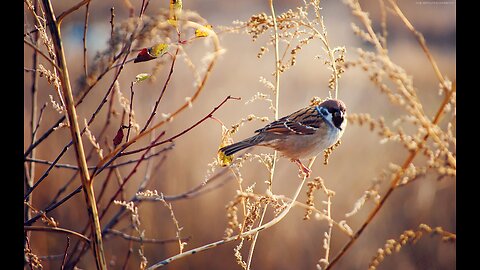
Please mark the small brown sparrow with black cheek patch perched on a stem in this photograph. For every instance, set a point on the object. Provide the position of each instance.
(300, 135)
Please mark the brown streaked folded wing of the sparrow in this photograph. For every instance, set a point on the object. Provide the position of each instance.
(302, 122)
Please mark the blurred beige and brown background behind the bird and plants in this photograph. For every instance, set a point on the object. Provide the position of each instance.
(293, 243)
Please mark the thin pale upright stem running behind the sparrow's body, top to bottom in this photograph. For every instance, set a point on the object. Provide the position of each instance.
(277, 98)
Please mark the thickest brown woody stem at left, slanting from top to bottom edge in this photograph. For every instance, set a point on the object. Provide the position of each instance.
(87, 183)
